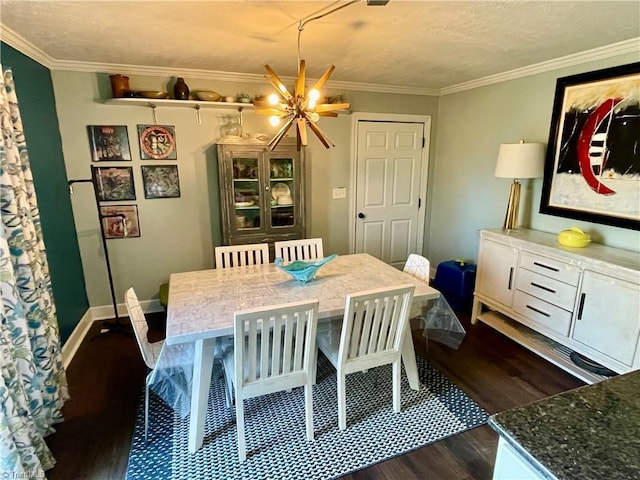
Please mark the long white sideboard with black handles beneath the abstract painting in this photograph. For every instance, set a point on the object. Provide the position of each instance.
(555, 300)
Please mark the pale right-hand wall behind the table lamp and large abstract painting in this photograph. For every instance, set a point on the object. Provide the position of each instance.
(466, 195)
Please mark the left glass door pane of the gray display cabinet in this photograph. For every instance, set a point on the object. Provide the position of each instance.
(246, 193)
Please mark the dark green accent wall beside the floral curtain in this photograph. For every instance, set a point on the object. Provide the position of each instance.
(40, 121)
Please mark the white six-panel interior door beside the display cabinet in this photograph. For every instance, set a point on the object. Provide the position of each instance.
(389, 173)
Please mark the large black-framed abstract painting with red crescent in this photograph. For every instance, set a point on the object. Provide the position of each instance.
(592, 170)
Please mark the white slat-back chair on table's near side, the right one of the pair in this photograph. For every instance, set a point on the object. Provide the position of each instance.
(369, 336)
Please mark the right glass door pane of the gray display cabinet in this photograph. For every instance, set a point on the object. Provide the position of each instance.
(281, 183)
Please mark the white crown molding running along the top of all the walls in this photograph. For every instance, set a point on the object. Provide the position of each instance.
(16, 41)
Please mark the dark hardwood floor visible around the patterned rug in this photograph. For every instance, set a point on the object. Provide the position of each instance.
(107, 374)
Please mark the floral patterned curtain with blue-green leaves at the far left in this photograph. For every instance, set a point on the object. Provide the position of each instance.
(33, 384)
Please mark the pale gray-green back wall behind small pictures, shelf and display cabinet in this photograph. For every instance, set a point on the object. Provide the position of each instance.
(179, 234)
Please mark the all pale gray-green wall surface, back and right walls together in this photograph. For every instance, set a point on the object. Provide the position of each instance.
(179, 234)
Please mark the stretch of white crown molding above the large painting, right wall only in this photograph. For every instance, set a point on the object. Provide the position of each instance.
(620, 48)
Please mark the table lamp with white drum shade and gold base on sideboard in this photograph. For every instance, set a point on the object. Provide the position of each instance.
(518, 160)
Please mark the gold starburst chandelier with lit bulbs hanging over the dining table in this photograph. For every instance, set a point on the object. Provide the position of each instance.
(300, 107)
